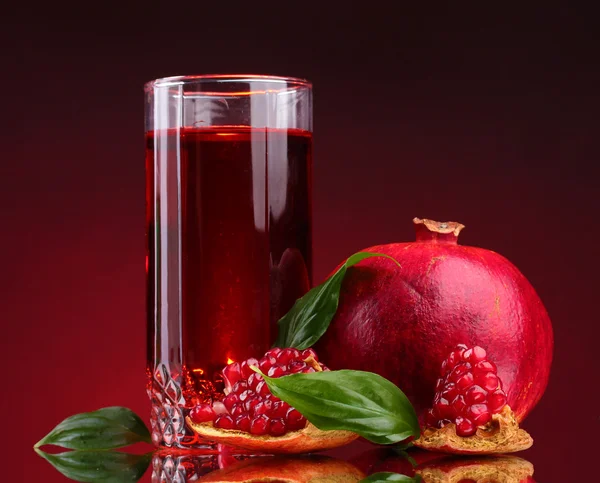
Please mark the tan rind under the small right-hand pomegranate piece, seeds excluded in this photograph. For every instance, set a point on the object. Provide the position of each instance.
(501, 435)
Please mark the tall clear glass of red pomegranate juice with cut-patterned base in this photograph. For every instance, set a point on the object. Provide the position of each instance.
(228, 214)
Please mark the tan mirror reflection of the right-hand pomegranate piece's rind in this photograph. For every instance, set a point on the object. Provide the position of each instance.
(499, 469)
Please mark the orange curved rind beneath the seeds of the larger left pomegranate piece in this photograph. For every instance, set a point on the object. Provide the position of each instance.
(305, 440)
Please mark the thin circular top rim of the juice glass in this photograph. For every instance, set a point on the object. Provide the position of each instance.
(205, 78)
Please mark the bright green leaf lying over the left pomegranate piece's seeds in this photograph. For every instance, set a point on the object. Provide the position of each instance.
(361, 402)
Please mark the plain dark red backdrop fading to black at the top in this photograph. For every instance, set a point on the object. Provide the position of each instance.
(485, 117)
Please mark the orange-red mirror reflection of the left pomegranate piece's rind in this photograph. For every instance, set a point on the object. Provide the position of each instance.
(289, 470)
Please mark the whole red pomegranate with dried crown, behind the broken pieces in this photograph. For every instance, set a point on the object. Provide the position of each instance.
(402, 322)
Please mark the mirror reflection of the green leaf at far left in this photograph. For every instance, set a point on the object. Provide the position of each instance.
(99, 466)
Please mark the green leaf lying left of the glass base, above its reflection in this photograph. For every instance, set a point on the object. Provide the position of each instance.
(107, 428)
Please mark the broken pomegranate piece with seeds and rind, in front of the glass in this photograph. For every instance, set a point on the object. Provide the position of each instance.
(250, 417)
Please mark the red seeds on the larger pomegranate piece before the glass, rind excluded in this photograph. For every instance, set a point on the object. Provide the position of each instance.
(249, 405)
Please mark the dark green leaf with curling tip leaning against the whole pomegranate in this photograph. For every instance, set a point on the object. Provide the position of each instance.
(310, 316)
